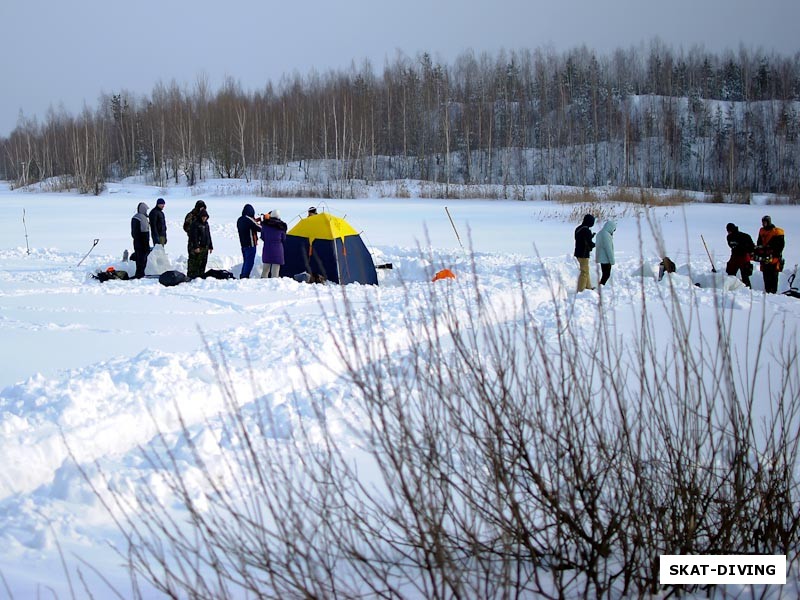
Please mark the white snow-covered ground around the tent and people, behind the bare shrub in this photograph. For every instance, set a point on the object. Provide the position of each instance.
(100, 366)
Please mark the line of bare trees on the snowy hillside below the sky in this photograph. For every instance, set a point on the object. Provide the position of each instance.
(648, 116)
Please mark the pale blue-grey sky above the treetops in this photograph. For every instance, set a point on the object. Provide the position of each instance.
(54, 52)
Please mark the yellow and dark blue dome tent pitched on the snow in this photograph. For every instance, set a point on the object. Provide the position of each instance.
(326, 245)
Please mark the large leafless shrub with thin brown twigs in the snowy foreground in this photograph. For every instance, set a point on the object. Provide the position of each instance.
(486, 456)
